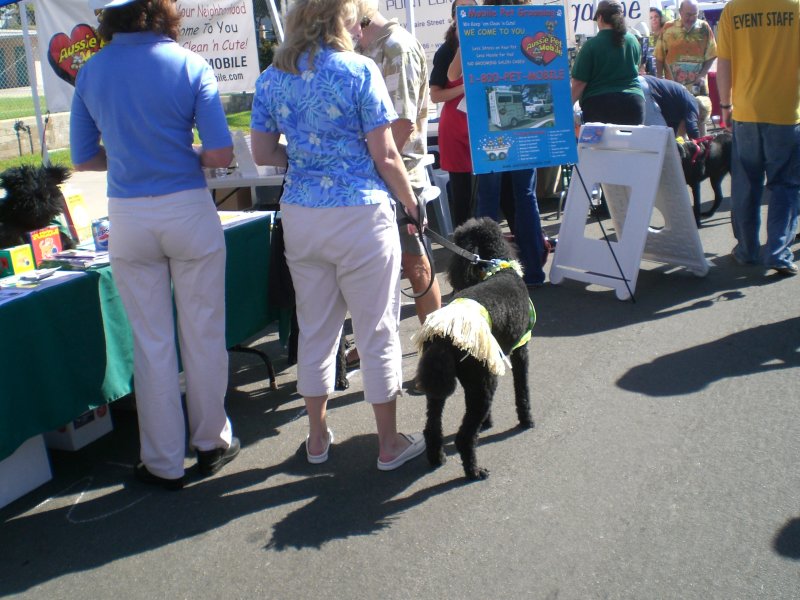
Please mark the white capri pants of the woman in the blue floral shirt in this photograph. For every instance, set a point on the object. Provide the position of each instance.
(346, 259)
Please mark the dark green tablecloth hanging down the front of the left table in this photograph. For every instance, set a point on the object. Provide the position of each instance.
(68, 349)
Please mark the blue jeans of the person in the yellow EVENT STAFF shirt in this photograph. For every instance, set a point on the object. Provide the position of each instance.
(759, 150)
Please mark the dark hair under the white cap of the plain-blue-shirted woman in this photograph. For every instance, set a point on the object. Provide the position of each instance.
(159, 16)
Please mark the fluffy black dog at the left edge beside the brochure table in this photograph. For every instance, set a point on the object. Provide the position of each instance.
(32, 200)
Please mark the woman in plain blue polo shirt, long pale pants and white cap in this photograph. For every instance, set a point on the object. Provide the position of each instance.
(142, 94)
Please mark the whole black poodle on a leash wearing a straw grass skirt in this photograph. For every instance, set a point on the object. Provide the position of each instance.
(489, 319)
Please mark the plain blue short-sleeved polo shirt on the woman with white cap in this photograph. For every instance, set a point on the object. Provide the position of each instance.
(142, 94)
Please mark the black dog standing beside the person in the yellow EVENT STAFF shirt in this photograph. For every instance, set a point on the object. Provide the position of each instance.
(707, 157)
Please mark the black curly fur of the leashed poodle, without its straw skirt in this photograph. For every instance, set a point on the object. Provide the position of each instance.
(505, 297)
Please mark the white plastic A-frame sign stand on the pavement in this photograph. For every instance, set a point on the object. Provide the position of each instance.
(638, 169)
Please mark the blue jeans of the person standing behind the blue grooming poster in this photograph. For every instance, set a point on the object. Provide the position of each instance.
(527, 225)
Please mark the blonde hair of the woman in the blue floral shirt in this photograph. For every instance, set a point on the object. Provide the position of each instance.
(311, 24)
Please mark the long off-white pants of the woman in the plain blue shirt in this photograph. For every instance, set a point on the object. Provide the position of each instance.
(157, 244)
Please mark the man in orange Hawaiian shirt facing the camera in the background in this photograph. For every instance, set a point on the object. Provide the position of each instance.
(685, 52)
